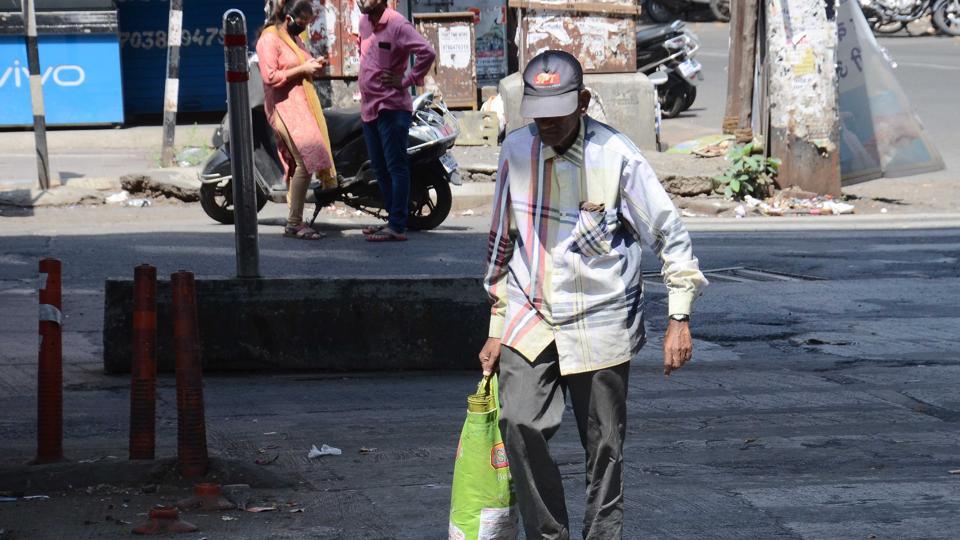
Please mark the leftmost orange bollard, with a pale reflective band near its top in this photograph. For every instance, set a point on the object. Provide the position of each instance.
(50, 366)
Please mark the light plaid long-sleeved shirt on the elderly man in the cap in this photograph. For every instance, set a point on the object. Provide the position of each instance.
(563, 262)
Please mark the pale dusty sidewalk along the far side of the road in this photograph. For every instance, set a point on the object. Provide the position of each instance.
(89, 161)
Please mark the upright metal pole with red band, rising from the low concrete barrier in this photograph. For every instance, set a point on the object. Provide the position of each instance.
(241, 143)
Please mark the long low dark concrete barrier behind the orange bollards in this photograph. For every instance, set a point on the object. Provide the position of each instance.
(334, 324)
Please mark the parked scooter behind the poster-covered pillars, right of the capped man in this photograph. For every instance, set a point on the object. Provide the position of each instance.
(670, 49)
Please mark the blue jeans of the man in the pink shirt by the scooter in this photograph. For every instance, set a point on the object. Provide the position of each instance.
(386, 139)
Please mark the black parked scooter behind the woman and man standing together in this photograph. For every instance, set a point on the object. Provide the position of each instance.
(432, 133)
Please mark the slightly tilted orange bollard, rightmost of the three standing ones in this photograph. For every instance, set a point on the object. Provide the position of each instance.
(191, 427)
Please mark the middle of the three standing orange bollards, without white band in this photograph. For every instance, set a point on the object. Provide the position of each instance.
(143, 368)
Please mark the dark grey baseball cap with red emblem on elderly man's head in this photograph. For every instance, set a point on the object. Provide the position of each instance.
(552, 82)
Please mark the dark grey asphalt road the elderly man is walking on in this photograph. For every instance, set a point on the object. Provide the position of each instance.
(814, 409)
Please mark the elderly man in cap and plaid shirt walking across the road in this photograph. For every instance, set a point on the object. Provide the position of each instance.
(574, 202)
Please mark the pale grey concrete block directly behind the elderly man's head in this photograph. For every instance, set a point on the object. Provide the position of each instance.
(628, 103)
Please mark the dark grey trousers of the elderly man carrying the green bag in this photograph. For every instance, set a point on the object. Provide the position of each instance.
(532, 404)
